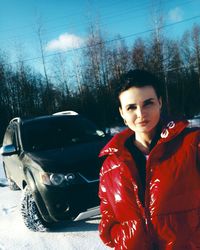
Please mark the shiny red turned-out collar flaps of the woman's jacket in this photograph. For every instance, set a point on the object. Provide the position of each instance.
(169, 132)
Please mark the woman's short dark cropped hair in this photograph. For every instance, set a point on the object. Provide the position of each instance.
(139, 78)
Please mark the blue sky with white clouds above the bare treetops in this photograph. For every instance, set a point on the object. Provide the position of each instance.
(65, 22)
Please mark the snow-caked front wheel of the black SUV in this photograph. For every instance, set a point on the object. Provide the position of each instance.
(30, 213)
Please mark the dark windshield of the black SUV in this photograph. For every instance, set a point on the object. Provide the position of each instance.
(59, 132)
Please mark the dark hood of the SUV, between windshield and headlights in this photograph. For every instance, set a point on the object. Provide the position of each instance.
(72, 158)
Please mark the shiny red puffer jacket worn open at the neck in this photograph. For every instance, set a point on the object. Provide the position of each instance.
(170, 219)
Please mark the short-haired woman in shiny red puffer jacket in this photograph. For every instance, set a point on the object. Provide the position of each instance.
(150, 179)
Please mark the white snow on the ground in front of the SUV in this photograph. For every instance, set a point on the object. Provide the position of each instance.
(80, 235)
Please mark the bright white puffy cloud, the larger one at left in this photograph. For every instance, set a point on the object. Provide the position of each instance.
(64, 42)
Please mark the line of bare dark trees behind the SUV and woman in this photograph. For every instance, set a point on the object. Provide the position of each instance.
(88, 84)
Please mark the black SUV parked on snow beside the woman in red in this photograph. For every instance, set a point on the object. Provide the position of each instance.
(54, 160)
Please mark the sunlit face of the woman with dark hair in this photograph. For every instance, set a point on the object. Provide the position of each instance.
(140, 108)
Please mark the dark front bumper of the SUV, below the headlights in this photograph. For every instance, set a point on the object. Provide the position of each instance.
(68, 202)
